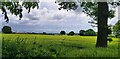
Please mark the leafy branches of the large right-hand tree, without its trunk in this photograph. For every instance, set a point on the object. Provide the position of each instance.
(89, 8)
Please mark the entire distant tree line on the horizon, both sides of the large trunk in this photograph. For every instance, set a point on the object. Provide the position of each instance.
(89, 32)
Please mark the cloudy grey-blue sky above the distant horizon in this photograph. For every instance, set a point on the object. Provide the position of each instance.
(51, 20)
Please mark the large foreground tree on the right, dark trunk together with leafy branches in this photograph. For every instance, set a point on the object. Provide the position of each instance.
(100, 13)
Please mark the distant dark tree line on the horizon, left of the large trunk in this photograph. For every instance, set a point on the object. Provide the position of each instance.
(89, 32)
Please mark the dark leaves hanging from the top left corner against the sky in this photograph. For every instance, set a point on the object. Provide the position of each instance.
(16, 9)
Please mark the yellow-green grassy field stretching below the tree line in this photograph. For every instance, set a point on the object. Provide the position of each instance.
(31, 45)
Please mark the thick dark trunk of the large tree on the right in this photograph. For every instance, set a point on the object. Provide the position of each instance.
(102, 24)
